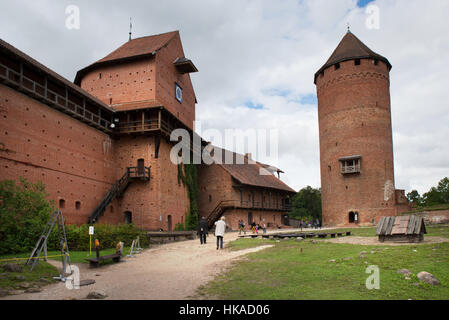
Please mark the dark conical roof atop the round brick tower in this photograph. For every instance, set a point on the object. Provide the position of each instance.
(350, 48)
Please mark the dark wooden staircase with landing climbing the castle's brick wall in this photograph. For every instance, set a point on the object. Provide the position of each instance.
(117, 190)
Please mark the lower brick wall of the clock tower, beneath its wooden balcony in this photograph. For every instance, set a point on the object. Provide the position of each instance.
(152, 202)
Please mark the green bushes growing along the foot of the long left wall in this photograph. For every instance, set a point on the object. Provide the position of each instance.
(24, 213)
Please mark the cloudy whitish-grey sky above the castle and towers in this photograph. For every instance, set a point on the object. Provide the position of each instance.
(257, 60)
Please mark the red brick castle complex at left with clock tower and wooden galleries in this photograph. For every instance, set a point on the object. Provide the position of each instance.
(101, 145)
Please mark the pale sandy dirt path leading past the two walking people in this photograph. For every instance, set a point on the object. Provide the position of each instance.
(173, 271)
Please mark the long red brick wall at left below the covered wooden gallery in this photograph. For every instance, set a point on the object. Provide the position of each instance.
(73, 160)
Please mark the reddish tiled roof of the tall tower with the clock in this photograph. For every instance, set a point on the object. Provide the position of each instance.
(132, 49)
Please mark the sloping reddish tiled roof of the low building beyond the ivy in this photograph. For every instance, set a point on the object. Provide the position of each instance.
(250, 173)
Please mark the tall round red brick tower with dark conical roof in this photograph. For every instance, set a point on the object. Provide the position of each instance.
(356, 147)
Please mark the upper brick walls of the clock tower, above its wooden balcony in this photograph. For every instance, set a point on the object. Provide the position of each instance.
(145, 80)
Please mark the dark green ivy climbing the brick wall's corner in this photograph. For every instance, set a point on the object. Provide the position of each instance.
(189, 177)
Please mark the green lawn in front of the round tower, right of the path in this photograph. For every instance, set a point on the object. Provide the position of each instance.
(283, 272)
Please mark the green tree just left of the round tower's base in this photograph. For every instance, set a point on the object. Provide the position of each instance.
(306, 204)
